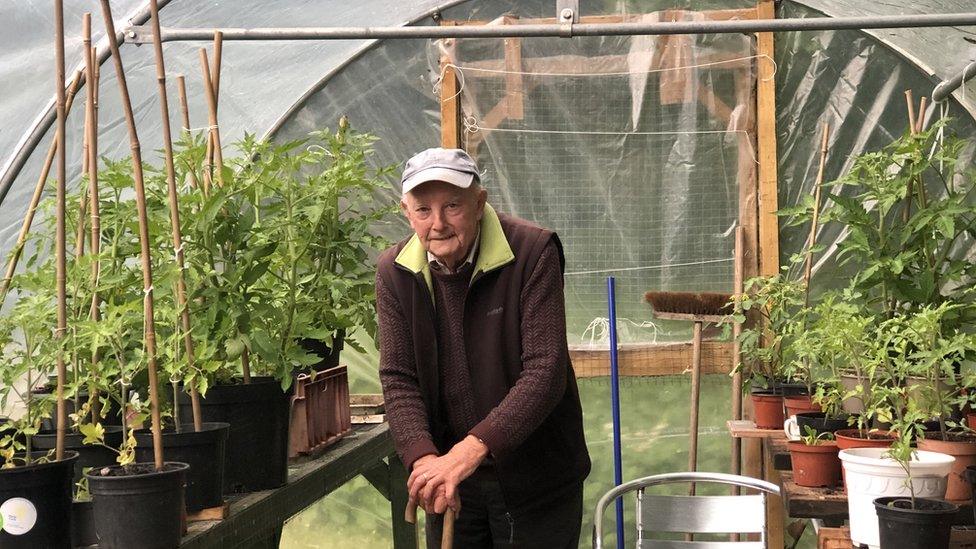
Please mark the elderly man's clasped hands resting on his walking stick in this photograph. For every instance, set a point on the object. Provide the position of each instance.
(434, 480)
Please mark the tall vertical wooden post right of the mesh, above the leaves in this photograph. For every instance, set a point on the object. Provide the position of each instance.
(766, 133)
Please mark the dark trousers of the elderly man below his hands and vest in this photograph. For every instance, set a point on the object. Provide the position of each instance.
(552, 522)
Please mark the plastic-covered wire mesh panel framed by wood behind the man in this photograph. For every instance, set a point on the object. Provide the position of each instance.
(632, 149)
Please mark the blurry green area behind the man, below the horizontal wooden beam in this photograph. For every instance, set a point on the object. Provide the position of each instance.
(654, 415)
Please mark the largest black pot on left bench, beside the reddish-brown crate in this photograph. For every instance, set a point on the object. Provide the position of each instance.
(257, 445)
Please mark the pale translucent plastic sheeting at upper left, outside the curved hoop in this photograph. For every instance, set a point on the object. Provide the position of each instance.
(259, 80)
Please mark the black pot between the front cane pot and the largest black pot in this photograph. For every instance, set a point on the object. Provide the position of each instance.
(203, 451)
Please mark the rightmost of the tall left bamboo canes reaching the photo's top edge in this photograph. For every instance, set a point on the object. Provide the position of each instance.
(174, 213)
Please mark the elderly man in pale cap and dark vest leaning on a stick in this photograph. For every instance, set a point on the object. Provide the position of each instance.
(480, 392)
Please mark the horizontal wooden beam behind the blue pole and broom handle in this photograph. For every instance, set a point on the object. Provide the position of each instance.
(652, 360)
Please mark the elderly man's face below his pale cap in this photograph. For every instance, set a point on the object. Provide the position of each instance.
(445, 218)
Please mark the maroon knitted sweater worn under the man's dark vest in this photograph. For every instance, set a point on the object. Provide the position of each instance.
(542, 384)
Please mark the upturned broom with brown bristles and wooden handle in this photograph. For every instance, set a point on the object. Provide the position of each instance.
(697, 308)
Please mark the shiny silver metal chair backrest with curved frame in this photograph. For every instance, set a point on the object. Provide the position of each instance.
(744, 514)
